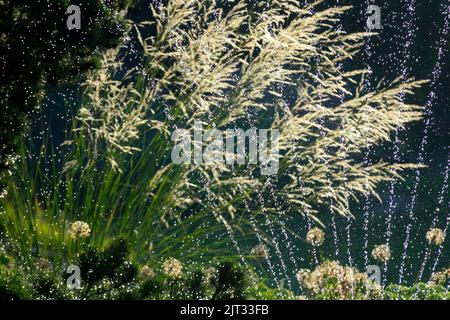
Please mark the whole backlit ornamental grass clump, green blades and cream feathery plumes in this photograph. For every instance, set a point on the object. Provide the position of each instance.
(242, 67)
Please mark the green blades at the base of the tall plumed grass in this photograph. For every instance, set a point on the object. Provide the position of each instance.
(46, 196)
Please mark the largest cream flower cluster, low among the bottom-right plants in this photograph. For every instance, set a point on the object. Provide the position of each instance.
(337, 281)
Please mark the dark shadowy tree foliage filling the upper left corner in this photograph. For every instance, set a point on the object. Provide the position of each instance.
(36, 46)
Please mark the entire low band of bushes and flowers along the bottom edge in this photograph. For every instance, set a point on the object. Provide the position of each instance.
(108, 274)
